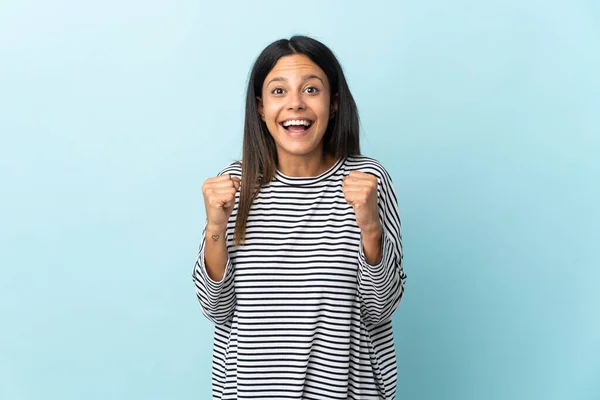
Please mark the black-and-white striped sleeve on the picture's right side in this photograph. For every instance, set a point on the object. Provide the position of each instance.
(381, 286)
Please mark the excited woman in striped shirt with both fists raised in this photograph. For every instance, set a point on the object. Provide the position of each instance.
(300, 266)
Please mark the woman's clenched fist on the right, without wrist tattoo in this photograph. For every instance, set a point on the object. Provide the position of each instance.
(360, 191)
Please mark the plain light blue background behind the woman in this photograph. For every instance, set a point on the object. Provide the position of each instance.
(113, 113)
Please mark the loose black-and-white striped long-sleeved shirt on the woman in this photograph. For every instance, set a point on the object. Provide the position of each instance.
(300, 313)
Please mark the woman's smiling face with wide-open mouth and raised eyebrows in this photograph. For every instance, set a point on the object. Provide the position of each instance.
(296, 106)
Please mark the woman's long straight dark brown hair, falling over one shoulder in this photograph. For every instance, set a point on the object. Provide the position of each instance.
(259, 158)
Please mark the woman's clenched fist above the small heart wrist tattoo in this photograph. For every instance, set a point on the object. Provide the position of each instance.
(219, 199)
